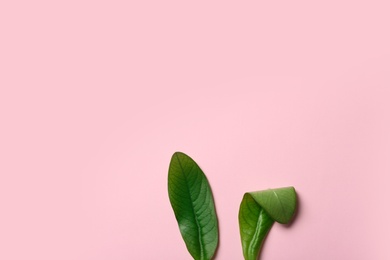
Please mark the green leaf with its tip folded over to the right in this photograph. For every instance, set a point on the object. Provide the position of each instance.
(258, 211)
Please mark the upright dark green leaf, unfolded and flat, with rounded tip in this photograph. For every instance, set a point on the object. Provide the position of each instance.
(192, 202)
